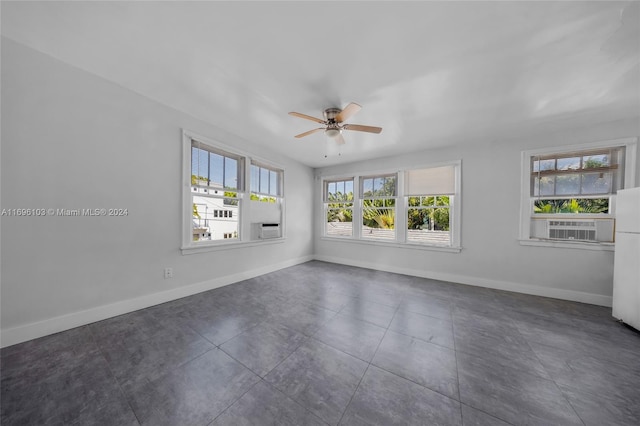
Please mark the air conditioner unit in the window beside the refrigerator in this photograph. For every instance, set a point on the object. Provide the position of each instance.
(596, 230)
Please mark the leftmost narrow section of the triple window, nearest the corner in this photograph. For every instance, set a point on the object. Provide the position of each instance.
(338, 207)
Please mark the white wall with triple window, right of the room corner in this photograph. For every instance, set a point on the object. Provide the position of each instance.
(491, 255)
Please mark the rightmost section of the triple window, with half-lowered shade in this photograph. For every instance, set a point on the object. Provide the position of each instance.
(430, 193)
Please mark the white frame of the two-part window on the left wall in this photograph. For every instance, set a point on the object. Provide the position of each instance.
(246, 231)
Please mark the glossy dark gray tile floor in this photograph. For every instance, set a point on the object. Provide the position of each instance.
(320, 344)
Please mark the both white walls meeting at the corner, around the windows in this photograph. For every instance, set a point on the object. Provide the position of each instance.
(73, 140)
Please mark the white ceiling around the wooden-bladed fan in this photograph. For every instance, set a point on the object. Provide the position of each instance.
(431, 74)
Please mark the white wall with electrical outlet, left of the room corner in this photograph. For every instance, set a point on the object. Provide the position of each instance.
(73, 140)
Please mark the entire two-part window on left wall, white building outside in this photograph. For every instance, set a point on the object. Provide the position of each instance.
(216, 207)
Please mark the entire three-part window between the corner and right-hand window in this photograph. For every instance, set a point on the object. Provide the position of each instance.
(412, 208)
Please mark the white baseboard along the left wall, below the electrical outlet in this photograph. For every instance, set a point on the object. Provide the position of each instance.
(23, 333)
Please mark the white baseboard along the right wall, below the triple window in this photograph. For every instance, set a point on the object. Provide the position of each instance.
(575, 296)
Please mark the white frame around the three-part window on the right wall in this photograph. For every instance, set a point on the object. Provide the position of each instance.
(455, 212)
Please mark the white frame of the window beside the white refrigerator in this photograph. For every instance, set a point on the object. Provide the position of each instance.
(526, 199)
